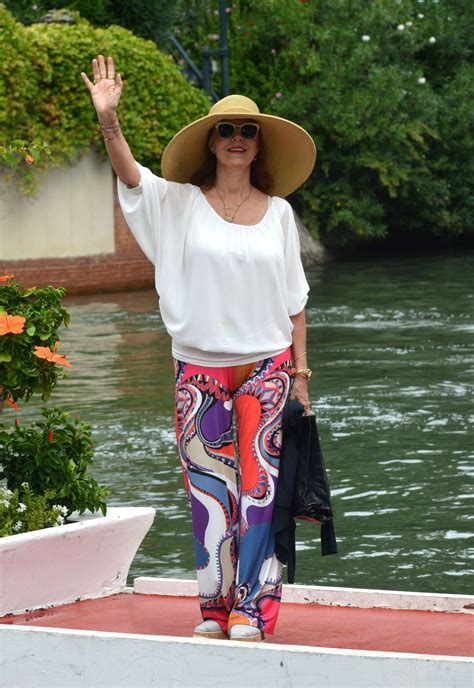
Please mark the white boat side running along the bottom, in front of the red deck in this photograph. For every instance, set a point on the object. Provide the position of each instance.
(61, 658)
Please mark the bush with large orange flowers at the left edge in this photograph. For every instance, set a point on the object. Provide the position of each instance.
(29, 318)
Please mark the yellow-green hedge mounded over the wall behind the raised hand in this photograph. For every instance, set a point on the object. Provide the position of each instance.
(42, 95)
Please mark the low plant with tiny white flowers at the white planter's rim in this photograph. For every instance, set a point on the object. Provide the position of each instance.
(22, 511)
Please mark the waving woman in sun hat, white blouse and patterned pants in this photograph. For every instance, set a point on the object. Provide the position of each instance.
(232, 294)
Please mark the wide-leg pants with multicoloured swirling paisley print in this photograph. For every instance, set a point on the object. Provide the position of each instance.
(231, 499)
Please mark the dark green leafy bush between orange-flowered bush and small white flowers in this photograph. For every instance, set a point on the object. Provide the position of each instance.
(52, 455)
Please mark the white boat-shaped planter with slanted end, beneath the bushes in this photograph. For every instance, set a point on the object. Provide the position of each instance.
(85, 559)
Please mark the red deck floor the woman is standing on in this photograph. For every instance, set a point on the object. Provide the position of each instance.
(389, 630)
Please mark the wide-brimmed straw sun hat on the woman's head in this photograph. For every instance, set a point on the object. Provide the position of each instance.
(290, 152)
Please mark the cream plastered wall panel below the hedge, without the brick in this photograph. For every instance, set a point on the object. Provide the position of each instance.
(72, 214)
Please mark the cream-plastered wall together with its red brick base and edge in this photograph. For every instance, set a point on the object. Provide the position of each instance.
(103, 254)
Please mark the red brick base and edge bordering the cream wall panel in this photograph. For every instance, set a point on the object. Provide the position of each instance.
(127, 268)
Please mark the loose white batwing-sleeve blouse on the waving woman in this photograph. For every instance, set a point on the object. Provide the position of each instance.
(226, 291)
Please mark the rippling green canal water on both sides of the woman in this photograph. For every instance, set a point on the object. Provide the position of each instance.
(390, 344)
